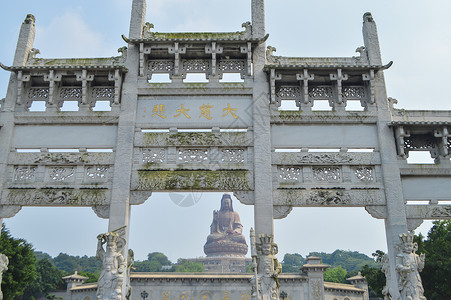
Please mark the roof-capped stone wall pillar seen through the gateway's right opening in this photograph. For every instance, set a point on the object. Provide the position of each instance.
(315, 272)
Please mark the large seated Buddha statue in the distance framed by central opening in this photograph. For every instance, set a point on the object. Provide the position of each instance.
(226, 236)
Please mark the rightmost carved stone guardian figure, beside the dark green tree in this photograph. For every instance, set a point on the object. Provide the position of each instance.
(409, 265)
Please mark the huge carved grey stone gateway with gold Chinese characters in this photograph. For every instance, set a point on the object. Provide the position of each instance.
(217, 136)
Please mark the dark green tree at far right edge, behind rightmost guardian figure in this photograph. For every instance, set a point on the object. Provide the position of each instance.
(436, 273)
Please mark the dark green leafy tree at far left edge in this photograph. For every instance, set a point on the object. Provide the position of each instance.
(21, 269)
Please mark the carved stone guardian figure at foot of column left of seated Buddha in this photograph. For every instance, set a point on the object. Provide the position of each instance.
(114, 265)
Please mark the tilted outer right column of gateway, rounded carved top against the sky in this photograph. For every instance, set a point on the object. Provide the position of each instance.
(396, 221)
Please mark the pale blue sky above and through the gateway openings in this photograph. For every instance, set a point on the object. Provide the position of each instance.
(414, 34)
